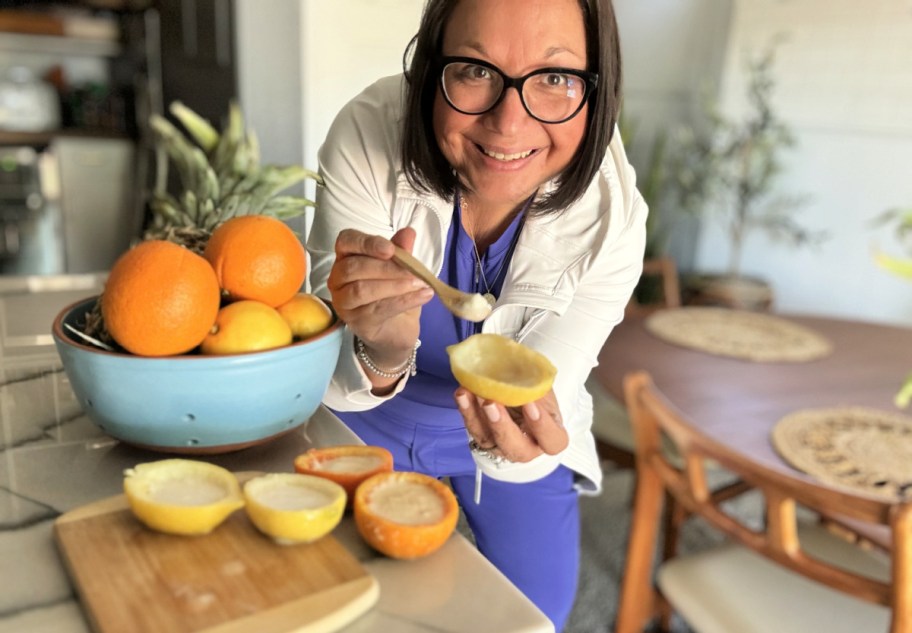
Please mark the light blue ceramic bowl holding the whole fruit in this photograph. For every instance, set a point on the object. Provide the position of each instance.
(192, 403)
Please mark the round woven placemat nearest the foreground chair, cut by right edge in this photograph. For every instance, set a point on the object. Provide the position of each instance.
(864, 449)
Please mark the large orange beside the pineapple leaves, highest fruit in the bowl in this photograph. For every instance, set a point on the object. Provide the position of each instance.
(257, 257)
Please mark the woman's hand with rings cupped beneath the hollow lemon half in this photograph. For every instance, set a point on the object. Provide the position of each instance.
(518, 434)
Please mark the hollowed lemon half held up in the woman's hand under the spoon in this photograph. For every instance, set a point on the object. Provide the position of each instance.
(498, 368)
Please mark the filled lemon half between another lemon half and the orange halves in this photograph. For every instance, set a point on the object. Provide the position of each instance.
(294, 508)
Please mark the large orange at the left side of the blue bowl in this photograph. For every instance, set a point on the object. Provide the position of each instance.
(160, 299)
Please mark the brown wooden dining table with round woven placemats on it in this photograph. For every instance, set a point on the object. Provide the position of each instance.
(738, 402)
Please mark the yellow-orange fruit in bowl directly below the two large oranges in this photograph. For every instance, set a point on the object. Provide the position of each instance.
(246, 326)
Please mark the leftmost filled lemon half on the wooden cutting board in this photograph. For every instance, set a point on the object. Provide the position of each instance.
(181, 496)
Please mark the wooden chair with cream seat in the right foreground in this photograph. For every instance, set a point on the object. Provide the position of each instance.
(791, 575)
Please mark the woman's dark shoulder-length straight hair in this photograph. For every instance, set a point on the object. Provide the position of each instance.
(425, 166)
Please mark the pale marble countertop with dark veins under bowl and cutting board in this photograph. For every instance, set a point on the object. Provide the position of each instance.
(53, 459)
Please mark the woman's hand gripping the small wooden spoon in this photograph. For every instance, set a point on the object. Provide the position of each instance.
(378, 300)
